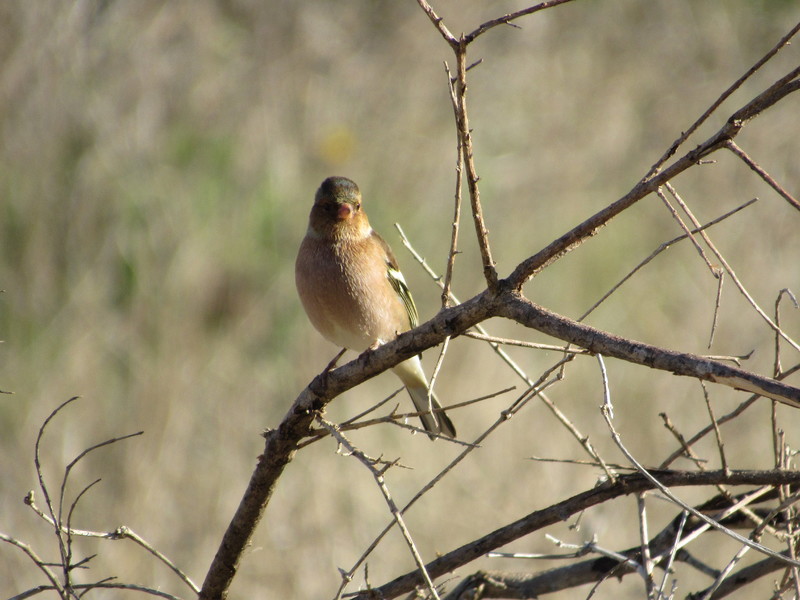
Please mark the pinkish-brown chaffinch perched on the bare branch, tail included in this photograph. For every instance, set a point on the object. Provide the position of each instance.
(353, 291)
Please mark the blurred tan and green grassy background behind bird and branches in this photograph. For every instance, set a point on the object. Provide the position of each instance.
(157, 164)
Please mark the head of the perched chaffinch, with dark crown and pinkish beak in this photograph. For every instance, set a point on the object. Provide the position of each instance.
(337, 211)
